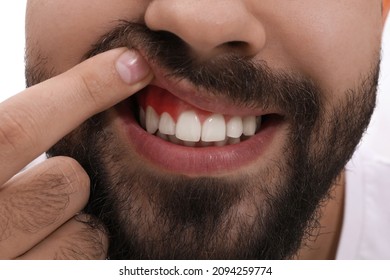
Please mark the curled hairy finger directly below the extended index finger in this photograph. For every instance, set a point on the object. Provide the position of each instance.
(42, 199)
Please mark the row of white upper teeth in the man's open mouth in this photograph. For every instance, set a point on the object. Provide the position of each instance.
(190, 129)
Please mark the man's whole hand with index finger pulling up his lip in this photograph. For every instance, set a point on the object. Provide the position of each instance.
(38, 207)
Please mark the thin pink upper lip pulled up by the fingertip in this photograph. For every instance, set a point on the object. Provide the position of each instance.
(200, 98)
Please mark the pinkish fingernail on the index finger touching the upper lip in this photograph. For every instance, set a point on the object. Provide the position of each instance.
(132, 67)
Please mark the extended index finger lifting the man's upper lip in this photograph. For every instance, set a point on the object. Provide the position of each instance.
(35, 119)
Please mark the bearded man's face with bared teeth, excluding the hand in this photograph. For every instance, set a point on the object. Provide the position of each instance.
(254, 110)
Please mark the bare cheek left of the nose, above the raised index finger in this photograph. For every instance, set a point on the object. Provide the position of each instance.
(63, 31)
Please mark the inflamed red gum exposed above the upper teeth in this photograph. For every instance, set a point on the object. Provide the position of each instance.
(162, 101)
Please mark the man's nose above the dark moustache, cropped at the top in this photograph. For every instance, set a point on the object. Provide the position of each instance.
(209, 27)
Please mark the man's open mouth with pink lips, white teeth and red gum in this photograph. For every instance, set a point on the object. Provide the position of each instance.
(184, 131)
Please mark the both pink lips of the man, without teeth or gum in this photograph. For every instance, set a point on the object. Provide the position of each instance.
(194, 160)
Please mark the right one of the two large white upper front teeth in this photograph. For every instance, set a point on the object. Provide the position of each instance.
(214, 129)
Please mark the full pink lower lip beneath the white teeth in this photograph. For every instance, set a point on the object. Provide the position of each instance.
(194, 160)
